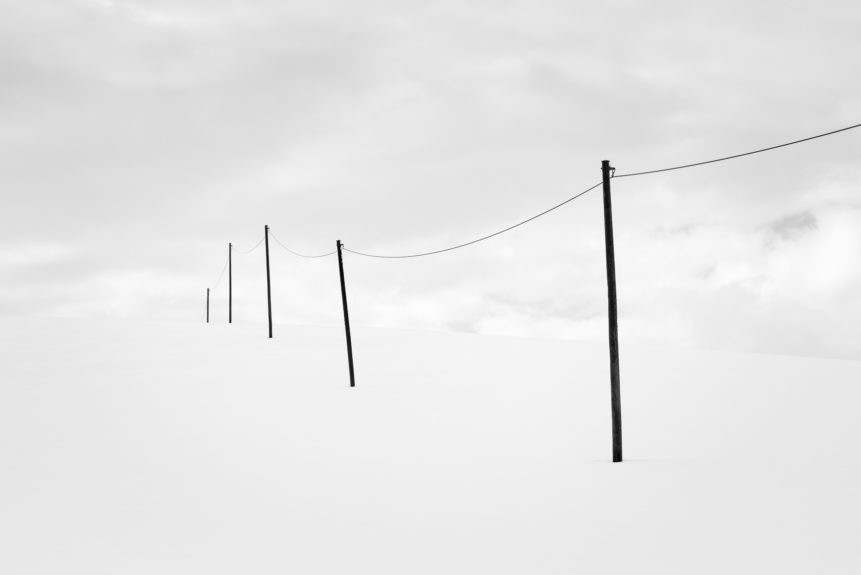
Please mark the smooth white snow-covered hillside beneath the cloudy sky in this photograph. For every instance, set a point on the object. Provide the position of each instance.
(164, 448)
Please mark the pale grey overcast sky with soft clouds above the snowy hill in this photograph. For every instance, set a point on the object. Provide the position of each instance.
(140, 137)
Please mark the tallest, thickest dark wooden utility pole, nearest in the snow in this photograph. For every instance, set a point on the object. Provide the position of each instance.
(615, 399)
